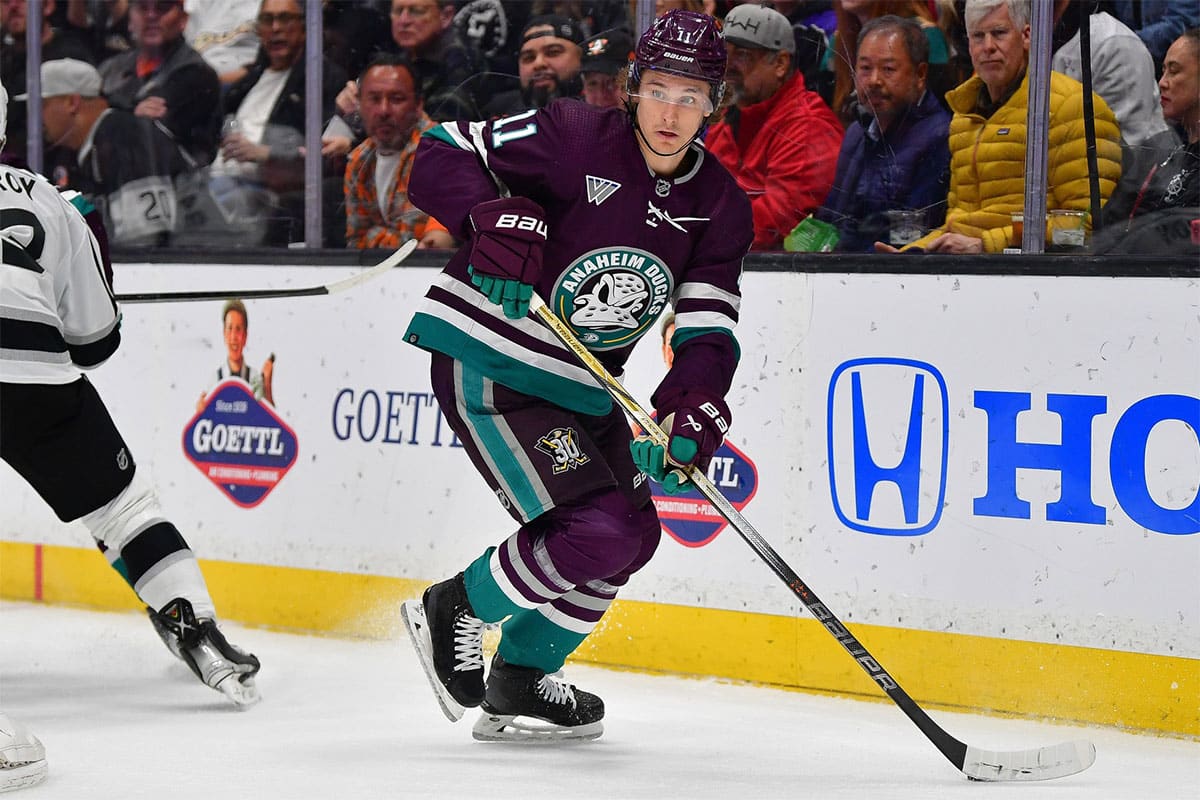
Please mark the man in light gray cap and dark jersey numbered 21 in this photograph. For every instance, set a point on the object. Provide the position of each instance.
(123, 164)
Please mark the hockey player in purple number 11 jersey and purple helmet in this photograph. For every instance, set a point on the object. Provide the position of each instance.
(610, 215)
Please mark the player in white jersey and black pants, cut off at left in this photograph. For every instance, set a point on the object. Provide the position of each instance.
(58, 317)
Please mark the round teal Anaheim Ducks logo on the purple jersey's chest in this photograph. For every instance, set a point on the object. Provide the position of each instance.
(613, 296)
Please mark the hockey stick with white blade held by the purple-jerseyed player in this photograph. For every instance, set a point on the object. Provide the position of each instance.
(1039, 765)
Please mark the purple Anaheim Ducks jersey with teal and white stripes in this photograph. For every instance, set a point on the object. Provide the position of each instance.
(623, 244)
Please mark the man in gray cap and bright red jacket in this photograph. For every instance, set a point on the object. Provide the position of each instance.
(779, 140)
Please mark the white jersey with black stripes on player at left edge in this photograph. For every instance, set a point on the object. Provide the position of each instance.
(57, 308)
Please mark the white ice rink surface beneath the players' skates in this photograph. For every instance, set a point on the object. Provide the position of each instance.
(123, 720)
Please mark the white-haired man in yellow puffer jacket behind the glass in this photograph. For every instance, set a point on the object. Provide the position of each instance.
(988, 139)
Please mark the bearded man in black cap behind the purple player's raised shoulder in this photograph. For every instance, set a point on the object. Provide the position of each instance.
(548, 67)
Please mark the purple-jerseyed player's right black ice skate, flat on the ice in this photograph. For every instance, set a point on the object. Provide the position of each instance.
(518, 695)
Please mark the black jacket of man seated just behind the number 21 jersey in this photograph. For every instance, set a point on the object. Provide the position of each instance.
(189, 86)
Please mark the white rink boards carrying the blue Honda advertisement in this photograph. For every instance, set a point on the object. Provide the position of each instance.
(412, 508)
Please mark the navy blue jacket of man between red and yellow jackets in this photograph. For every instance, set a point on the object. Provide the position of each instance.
(908, 167)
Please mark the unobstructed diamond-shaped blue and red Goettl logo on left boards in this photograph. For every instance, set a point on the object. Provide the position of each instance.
(241, 444)
